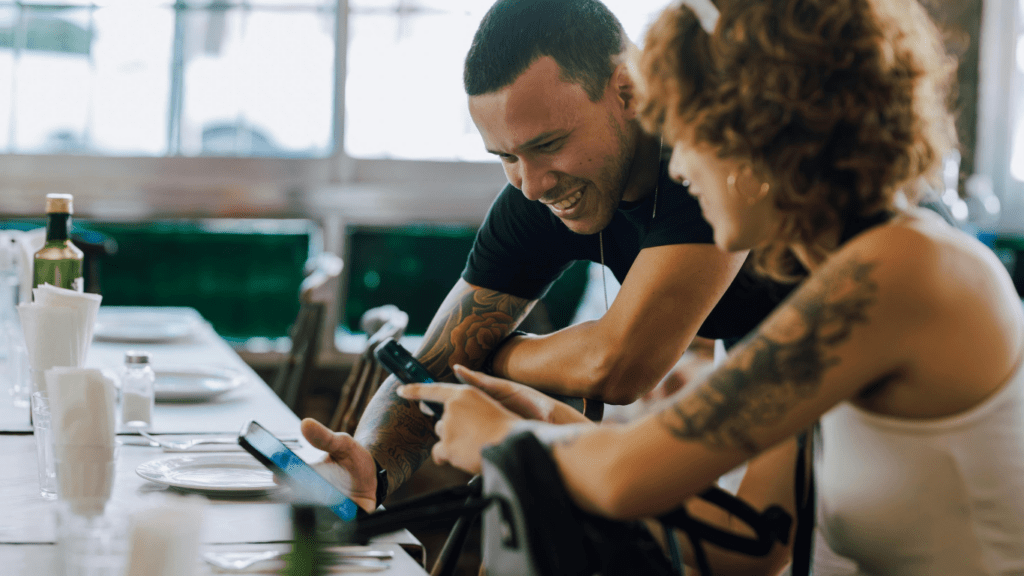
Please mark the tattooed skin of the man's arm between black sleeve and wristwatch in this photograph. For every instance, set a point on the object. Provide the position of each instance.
(470, 324)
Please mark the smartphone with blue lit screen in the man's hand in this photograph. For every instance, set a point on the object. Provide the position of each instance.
(295, 473)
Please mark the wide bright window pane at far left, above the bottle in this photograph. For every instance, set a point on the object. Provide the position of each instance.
(160, 78)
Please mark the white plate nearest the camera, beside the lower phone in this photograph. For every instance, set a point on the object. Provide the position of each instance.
(210, 473)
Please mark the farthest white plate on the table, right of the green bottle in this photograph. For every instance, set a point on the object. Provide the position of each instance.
(145, 326)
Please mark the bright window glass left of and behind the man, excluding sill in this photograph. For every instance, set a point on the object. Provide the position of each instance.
(241, 77)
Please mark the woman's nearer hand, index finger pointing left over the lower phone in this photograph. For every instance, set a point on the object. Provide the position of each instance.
(473, 421)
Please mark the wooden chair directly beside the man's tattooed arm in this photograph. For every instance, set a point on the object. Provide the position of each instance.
(367, 375)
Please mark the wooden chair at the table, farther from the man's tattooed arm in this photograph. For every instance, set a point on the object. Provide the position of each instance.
(314, 328)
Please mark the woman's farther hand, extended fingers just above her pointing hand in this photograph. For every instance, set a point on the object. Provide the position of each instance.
(522, 400)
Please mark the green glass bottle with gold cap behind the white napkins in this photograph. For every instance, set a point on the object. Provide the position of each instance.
(60, 262)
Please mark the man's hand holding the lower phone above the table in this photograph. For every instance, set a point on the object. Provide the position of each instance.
(347, 465)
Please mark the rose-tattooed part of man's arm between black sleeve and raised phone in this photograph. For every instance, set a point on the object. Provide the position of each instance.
(468, 325)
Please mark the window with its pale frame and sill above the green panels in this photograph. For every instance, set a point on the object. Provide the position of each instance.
(231, 107)
